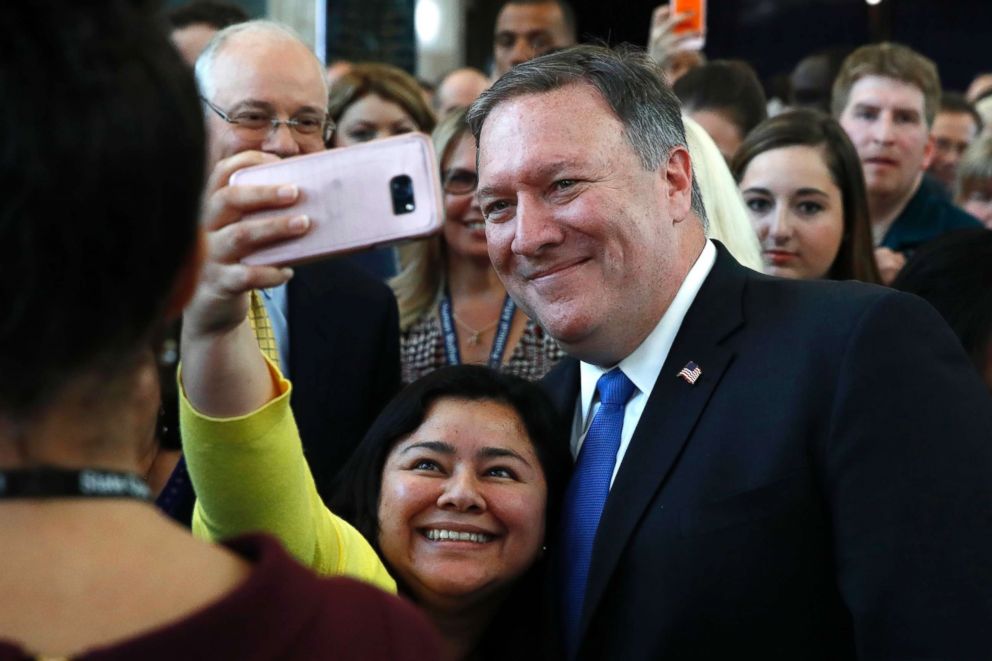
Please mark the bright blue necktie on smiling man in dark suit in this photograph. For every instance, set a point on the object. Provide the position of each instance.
(586, 496)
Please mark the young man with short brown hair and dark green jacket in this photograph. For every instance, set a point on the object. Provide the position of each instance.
(886, 97)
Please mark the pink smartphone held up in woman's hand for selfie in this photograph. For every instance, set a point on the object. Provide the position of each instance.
(372, 194)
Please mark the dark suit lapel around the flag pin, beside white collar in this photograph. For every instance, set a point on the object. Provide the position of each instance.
(671, 413)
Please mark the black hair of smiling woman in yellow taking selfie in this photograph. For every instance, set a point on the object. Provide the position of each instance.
(356, 498)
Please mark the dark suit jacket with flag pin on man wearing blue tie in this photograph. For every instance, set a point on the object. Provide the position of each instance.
(824, 490)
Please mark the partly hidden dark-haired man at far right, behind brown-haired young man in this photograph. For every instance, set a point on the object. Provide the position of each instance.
(955, 127)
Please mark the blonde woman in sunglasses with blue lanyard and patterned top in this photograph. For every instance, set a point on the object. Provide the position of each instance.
(453, 308)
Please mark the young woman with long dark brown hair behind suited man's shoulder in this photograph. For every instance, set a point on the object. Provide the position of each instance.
(802, 183)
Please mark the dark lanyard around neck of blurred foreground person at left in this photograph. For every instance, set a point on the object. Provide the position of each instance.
(49, 482)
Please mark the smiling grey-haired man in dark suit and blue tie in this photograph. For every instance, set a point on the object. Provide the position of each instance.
(765, 468)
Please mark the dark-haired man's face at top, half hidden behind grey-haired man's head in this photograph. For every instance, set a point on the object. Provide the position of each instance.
(527, 28)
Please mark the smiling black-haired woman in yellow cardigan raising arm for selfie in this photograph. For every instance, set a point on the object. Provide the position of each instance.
(451, 491)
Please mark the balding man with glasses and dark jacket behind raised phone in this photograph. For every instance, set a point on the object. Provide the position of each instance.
(336, 329)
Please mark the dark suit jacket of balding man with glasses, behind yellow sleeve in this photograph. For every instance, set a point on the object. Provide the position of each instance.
(344, 355)
